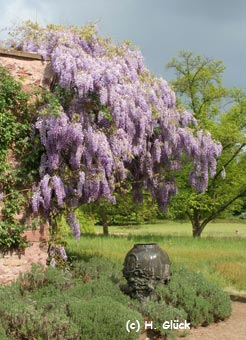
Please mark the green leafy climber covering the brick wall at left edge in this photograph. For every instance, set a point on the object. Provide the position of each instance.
(18, 159)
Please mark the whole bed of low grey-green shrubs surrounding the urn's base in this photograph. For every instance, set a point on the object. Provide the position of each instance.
(85, 302)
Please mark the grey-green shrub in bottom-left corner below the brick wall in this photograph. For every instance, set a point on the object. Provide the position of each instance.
(36, 309)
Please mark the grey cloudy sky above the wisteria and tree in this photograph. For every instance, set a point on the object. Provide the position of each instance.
(214, 28)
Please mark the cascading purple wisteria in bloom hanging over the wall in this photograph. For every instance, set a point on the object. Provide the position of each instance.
(118, 123)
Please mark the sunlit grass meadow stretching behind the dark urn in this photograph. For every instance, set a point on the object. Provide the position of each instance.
(219, 255)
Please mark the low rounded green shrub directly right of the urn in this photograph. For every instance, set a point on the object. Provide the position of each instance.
(203, 301)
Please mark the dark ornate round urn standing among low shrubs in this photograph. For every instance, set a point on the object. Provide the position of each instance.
(146, 266)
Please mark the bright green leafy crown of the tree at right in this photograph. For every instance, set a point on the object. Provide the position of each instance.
(221, 111)
